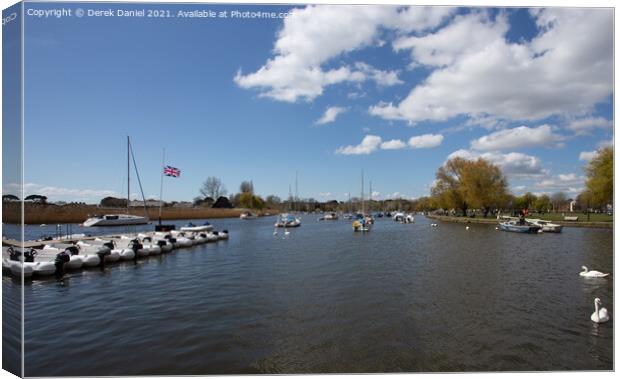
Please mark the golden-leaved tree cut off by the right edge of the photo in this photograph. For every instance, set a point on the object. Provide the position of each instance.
(600, 177)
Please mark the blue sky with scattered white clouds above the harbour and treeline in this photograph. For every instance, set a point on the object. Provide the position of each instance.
(259, 99)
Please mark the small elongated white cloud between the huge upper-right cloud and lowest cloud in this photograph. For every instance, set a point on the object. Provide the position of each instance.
(515, 138)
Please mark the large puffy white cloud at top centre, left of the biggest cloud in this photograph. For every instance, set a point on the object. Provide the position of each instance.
(316, 34)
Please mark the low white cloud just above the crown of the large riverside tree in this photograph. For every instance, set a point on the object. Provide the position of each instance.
(512, 164)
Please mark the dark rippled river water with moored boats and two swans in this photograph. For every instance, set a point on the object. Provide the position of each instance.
(324, 299)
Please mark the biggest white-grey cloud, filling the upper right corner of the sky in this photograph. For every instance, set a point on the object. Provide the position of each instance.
(565, 70)
